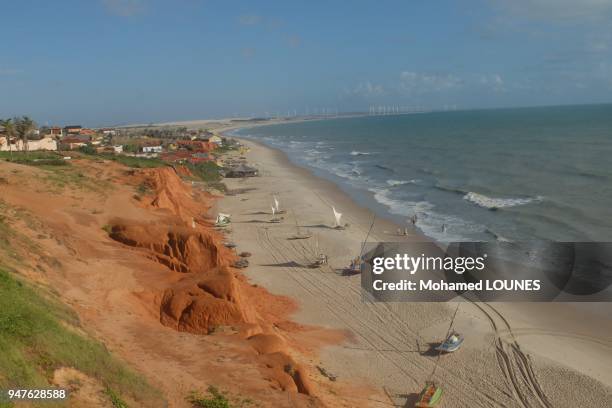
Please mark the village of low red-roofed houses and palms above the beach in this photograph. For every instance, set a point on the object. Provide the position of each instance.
(196, 148)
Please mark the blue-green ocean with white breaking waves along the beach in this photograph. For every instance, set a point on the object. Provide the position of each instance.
(482, 175)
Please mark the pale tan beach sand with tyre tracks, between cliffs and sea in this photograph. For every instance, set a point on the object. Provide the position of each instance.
(514, 354)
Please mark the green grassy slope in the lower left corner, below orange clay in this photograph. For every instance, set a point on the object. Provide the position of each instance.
(38, 334)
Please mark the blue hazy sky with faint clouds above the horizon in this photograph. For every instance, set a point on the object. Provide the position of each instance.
(110, 62)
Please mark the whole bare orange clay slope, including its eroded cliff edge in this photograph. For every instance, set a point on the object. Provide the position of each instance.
(133, 252)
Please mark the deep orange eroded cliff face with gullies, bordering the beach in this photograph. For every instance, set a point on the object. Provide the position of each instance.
(209, 295)
